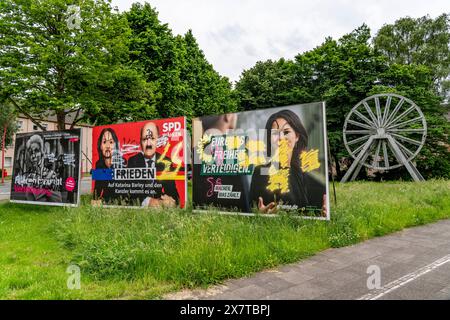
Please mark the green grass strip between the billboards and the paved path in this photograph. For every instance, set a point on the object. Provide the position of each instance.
(126, 253)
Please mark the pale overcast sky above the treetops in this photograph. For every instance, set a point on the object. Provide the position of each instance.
(235, 34)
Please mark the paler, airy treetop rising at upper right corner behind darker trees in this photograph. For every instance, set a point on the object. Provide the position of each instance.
(421, 41)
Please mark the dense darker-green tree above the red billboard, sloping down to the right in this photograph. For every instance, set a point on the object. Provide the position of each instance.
(183, 81)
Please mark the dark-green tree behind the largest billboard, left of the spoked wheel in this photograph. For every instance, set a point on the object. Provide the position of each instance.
(338, 72)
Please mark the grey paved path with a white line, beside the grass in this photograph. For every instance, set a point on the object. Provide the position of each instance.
(413, 264)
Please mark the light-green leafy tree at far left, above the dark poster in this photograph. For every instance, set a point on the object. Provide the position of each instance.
(52, 61)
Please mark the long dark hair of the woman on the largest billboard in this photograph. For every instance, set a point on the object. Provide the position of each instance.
(296, 124)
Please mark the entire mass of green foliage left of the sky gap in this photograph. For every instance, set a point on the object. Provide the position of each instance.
(114, 67)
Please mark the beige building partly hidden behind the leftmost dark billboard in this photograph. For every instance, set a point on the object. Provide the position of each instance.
(26, 125)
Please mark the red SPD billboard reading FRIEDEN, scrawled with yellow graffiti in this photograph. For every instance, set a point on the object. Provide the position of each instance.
(140, 164)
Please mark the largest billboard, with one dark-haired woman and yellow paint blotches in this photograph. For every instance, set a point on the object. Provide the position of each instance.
(267, 161)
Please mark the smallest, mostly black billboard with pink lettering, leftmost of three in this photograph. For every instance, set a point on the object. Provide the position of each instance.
(47, 168)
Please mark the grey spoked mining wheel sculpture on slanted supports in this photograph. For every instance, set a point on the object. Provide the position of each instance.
(384, 132)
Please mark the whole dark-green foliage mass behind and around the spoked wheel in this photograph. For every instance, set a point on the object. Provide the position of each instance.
(342, 73)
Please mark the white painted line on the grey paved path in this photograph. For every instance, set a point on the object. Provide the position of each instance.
(391, 286)
